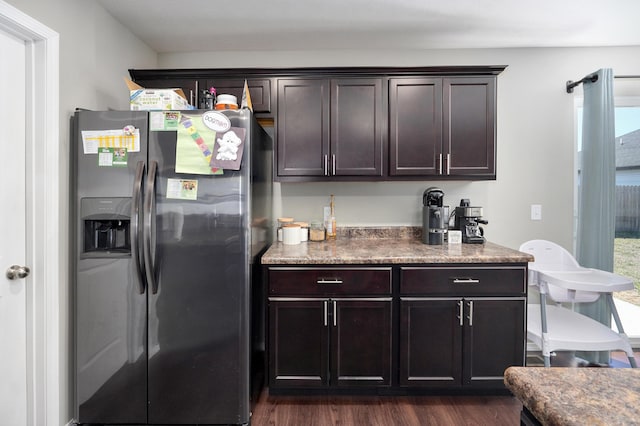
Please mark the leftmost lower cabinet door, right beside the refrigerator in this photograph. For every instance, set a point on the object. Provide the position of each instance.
(298, 343)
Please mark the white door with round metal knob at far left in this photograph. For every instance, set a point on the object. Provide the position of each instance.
(13, 292)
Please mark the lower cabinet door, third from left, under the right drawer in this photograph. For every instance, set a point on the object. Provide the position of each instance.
(431, 342)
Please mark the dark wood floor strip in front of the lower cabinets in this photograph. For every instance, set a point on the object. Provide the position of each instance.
(385, 411)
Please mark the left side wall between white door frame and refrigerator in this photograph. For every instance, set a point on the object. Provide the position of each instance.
(95, 54)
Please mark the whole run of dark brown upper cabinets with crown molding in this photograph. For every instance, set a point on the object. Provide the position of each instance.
(364, 123)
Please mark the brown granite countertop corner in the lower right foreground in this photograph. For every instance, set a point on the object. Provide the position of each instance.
(578, 396)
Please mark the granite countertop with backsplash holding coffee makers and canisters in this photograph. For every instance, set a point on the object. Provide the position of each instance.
(387, 245)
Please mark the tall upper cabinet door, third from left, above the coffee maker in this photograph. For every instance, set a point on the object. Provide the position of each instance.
(415, 126)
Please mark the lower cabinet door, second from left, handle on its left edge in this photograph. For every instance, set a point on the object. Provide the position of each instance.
(360, 342)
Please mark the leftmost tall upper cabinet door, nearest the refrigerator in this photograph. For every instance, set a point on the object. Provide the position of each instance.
(303, 127)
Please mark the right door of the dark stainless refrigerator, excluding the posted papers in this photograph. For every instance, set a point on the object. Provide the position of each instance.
(198, 318)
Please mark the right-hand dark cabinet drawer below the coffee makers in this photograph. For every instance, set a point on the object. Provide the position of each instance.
(463, 281)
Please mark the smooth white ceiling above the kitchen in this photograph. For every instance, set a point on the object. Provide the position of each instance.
(214, 25)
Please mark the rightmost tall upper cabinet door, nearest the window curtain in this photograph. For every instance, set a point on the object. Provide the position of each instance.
(469, 126)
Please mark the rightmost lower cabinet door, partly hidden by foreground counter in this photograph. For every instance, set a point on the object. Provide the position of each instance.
(494, 339)
